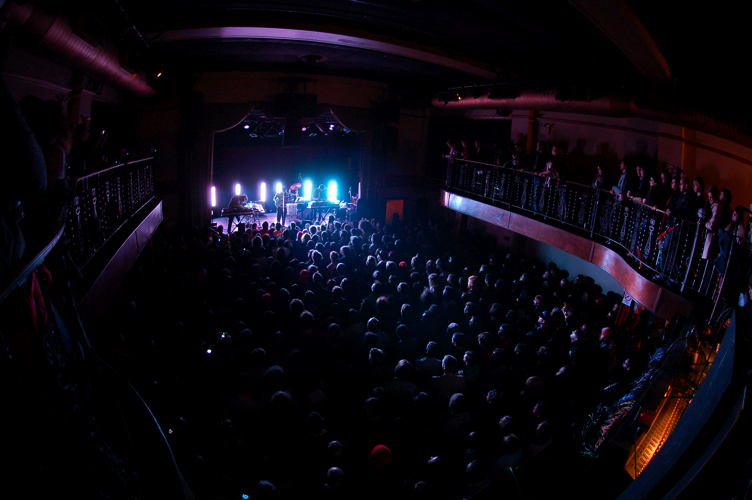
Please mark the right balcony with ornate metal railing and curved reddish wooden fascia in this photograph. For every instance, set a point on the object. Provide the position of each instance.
(628, 239)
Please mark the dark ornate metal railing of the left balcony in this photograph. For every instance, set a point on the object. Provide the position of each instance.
(103, 203)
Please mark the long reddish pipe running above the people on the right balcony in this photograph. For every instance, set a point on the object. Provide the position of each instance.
(649, 107)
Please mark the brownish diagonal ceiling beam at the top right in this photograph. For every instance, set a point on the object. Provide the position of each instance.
(621, 25)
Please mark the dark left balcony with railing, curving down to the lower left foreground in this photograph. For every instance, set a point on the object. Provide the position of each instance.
(99, 437)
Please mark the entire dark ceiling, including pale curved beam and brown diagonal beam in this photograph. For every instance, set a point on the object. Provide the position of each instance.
(688, 48)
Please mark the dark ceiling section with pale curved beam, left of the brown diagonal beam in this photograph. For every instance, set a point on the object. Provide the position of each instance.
(409, 43)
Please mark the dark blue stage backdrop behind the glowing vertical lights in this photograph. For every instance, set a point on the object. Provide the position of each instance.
(320, 161)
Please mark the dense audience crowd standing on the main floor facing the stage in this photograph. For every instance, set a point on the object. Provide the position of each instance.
(404, 360)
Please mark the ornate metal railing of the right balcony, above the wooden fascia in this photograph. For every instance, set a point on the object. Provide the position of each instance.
(658, 243)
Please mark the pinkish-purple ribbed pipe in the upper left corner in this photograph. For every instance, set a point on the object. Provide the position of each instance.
(40, 29)
